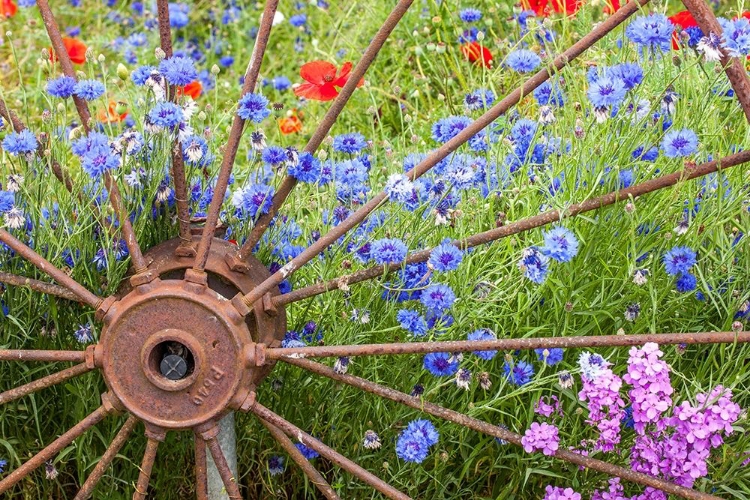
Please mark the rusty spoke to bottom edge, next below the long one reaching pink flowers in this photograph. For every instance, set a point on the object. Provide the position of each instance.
(292, 430)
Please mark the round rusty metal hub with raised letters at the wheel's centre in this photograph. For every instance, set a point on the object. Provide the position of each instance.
(177, 354)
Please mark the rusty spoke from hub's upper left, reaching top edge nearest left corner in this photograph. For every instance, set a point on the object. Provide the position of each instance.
(115, 198)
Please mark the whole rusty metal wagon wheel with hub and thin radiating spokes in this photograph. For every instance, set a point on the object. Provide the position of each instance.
(199, 324)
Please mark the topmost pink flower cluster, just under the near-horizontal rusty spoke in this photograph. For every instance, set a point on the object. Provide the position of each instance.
(650, 395)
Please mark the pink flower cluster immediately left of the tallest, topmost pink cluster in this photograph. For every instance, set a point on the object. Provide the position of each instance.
(605, 406)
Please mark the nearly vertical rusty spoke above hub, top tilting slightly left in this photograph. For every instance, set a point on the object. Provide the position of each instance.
(178, 165)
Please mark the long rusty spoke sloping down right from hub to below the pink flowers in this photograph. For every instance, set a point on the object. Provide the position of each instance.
(498, 432)
